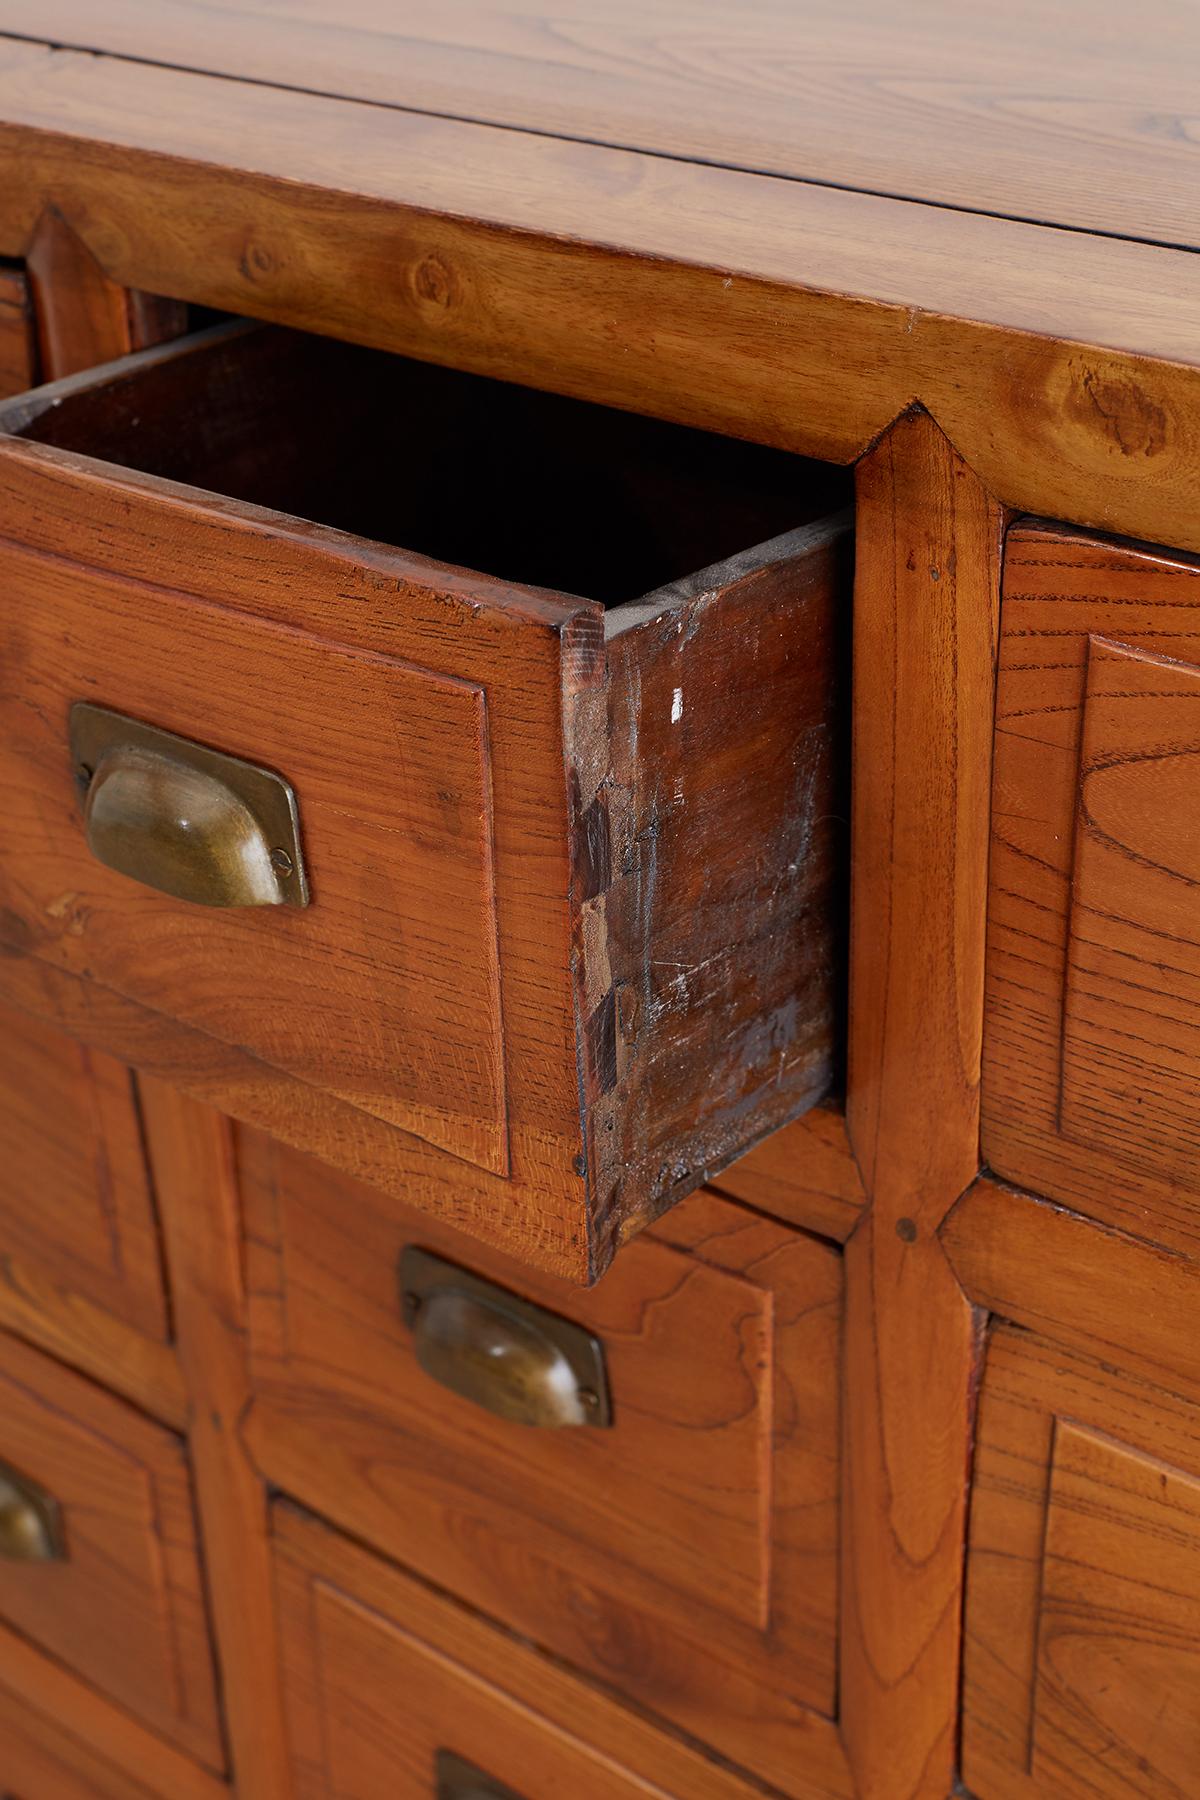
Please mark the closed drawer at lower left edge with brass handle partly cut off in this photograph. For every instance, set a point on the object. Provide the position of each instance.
(100, 1563)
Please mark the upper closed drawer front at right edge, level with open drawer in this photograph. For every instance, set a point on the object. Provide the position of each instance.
(1093, 946)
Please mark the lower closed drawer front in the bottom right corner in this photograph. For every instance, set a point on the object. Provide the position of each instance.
(1082, 1669)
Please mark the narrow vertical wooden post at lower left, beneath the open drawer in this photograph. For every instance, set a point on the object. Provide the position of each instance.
(192, 1153)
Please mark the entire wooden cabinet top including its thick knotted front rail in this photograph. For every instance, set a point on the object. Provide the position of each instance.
(668, 278)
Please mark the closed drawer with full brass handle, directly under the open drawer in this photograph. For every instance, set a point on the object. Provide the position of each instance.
(677, 1542)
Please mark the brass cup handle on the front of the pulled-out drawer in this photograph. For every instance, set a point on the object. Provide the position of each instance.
(183, 818)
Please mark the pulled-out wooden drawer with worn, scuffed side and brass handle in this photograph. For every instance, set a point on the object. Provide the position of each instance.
(519, 904)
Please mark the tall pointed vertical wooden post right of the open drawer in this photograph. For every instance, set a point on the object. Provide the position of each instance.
(926, 615)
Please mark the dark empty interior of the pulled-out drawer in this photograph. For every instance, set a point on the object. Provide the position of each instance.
(467, 471)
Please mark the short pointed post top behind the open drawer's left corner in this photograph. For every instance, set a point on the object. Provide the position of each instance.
(82, 316)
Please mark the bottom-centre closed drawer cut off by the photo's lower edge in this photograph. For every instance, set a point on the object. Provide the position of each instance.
(395, 1695)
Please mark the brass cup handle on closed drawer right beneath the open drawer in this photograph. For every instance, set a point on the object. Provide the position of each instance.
(499, 1351)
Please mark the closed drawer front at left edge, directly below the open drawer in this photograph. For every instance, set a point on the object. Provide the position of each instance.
(75, 1194)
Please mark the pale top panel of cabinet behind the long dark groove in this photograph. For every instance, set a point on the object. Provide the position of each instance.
(1071, 112)
